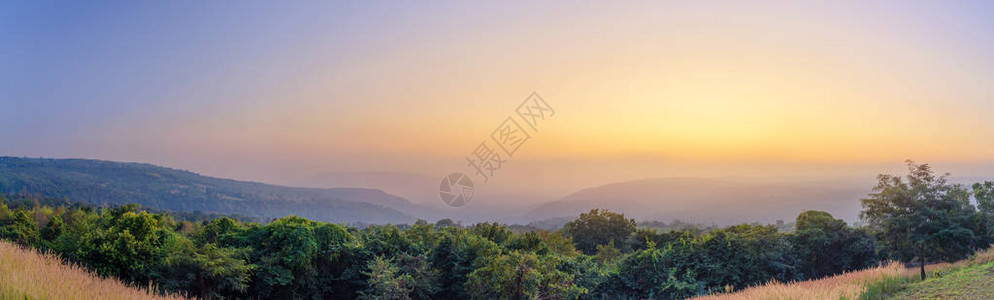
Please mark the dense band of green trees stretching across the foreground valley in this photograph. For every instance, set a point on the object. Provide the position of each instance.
(600, 255)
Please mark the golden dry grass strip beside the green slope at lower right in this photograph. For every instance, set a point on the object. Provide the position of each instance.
(844, 286)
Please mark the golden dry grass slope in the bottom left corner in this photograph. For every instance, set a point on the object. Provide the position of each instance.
(26, 274)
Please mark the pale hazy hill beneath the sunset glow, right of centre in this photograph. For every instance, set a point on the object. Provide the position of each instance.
(706, 200)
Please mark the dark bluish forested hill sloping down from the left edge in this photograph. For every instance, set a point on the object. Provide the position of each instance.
(110, 183)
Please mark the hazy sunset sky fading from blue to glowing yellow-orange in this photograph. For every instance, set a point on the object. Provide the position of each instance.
(284, 92)
